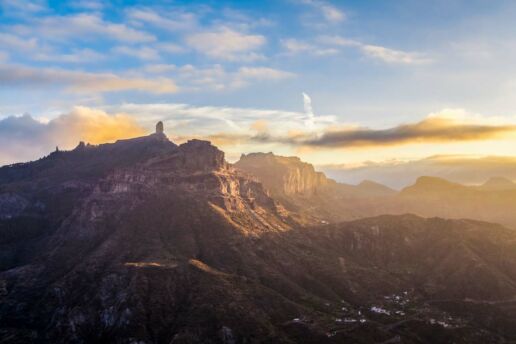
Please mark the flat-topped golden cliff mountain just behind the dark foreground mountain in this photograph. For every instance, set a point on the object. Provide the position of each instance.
(302, 190)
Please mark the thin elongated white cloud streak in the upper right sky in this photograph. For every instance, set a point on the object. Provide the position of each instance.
(384, 54)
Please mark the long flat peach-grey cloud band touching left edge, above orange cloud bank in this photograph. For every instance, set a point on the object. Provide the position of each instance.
(80, 82)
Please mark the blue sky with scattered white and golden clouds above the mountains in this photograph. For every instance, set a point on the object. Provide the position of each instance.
(343, 84)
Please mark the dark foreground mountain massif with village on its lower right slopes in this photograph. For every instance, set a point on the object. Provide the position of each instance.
(144, 241)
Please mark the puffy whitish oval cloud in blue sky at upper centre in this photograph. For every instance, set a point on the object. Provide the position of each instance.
(226, 44)
